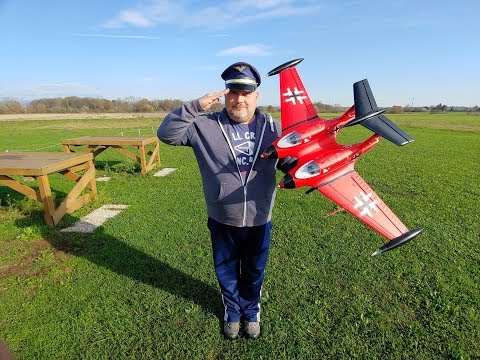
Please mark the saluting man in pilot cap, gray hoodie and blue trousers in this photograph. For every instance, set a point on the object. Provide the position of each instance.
(239, 187)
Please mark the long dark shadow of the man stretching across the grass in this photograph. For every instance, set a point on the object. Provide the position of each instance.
(111, 253)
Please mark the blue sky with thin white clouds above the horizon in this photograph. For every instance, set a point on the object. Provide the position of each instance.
(411, 51)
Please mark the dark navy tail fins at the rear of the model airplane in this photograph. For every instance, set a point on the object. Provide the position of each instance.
(369, 115)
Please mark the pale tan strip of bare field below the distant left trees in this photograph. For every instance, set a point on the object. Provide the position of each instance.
(20, 117)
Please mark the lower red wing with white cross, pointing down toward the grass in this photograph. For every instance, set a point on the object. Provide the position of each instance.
(353, 194)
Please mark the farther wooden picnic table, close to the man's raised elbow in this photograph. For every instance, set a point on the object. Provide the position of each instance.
(98, 144)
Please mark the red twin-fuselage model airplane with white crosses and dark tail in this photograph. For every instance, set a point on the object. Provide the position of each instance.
(310, 156)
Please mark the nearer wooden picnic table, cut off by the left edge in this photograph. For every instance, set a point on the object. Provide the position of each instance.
(40, 165)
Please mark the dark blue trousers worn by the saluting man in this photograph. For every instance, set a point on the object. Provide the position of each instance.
(240, 255)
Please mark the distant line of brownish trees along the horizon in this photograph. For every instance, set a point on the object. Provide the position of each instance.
(75, 104)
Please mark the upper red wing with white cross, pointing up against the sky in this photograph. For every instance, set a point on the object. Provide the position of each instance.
(295, 104)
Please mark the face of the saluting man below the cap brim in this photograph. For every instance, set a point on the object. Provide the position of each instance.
(241, 105)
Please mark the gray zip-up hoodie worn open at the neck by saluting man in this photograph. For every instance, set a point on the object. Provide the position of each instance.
(229, 201)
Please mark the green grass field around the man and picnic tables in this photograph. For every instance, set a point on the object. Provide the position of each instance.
(142, 286)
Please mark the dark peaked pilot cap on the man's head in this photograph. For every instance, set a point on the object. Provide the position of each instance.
(241, 76)
